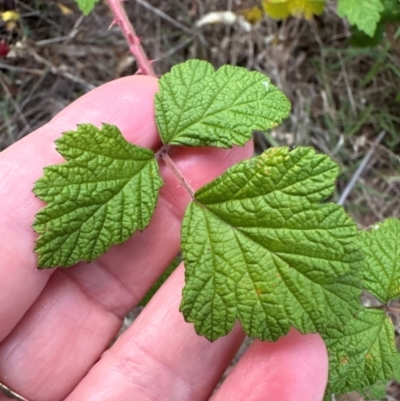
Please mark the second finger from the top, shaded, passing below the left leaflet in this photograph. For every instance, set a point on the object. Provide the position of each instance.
(112, 285)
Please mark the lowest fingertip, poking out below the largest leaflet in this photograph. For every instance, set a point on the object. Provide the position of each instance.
(295, 368)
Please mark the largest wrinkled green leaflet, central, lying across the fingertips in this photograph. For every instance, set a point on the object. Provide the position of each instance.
(259, 246)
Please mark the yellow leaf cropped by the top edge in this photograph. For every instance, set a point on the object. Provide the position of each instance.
(282, 9)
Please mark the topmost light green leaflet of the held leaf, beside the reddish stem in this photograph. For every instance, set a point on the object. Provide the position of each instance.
(197, 106)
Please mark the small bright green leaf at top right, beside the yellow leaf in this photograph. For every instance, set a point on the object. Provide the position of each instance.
(364, 14)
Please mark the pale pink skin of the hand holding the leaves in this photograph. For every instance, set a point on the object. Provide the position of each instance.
(56, 325)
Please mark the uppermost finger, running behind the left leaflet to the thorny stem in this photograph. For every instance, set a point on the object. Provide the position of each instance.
(127, 103)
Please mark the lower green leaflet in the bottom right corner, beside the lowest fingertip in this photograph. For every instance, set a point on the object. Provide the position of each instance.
(360, 353)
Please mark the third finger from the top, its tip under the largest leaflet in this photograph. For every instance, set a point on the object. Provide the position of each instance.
(160, 357)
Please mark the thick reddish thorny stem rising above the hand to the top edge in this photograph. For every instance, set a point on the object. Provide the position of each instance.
(131, 38)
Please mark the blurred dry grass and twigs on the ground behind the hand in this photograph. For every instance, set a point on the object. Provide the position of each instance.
(343, 96)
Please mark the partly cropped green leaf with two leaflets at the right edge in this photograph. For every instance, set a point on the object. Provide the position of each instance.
(363, 351)
